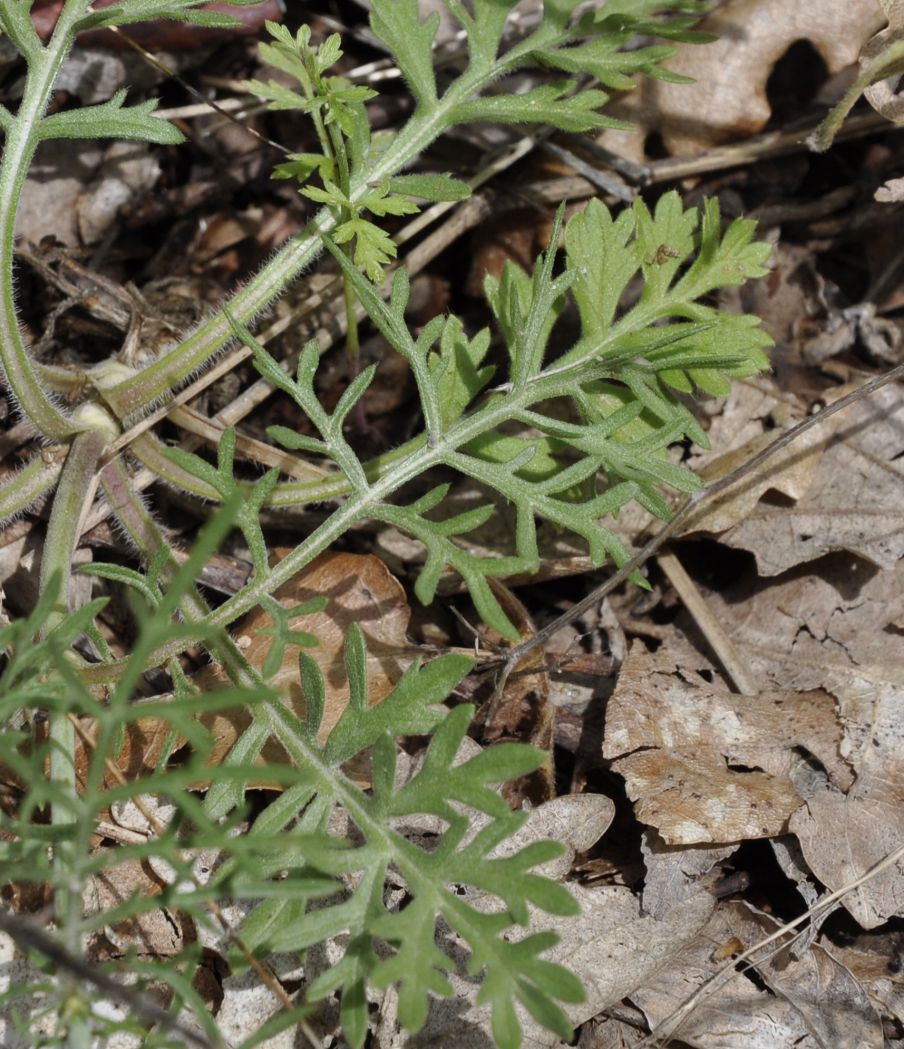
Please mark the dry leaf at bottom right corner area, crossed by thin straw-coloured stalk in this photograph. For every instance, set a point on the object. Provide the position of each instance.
(814, 1003)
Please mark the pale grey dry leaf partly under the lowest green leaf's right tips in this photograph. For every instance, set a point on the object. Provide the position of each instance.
(613, 949)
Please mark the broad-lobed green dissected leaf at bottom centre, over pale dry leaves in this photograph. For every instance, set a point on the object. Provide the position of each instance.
(417, 960)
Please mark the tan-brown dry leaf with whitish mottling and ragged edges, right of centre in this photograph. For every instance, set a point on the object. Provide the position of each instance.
(675, 738)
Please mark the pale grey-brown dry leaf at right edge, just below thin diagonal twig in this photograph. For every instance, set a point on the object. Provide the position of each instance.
(855, 502)
